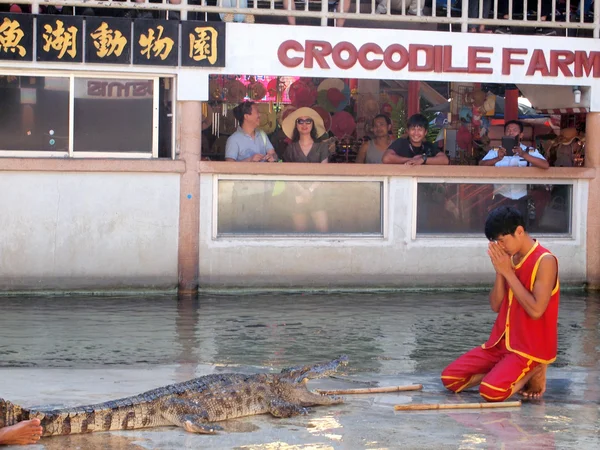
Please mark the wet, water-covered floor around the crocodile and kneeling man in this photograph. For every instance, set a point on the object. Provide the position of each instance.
(57, 352)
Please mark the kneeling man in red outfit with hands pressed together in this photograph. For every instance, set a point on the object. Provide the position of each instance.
(525, 296)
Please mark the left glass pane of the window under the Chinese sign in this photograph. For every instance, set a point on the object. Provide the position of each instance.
(34, 113)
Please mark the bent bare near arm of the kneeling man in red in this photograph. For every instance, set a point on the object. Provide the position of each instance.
(536, 302)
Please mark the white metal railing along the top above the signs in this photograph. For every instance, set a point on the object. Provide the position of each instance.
(560, 15)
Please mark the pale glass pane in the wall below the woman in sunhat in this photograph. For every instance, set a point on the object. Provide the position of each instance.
(299, 207)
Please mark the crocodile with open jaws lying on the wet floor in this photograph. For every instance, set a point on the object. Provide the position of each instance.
(194, 405)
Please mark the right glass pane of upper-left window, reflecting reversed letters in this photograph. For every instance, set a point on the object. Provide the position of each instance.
(113, 115)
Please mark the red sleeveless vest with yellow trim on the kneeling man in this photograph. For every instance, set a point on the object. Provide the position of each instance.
(530, 338)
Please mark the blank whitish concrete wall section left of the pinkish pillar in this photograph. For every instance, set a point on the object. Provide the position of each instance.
(71, 231)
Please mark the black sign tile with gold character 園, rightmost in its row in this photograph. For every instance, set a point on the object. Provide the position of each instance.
(203, 44)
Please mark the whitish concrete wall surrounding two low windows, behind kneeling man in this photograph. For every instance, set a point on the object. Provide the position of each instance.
(398, 259)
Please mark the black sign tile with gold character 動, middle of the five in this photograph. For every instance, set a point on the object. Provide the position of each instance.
(107, 40)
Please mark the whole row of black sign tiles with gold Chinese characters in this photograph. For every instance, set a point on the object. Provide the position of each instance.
(111, 40)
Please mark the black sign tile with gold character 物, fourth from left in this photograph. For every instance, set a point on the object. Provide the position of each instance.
(156, 42)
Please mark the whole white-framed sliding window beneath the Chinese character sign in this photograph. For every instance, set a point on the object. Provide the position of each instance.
(86, 116)
